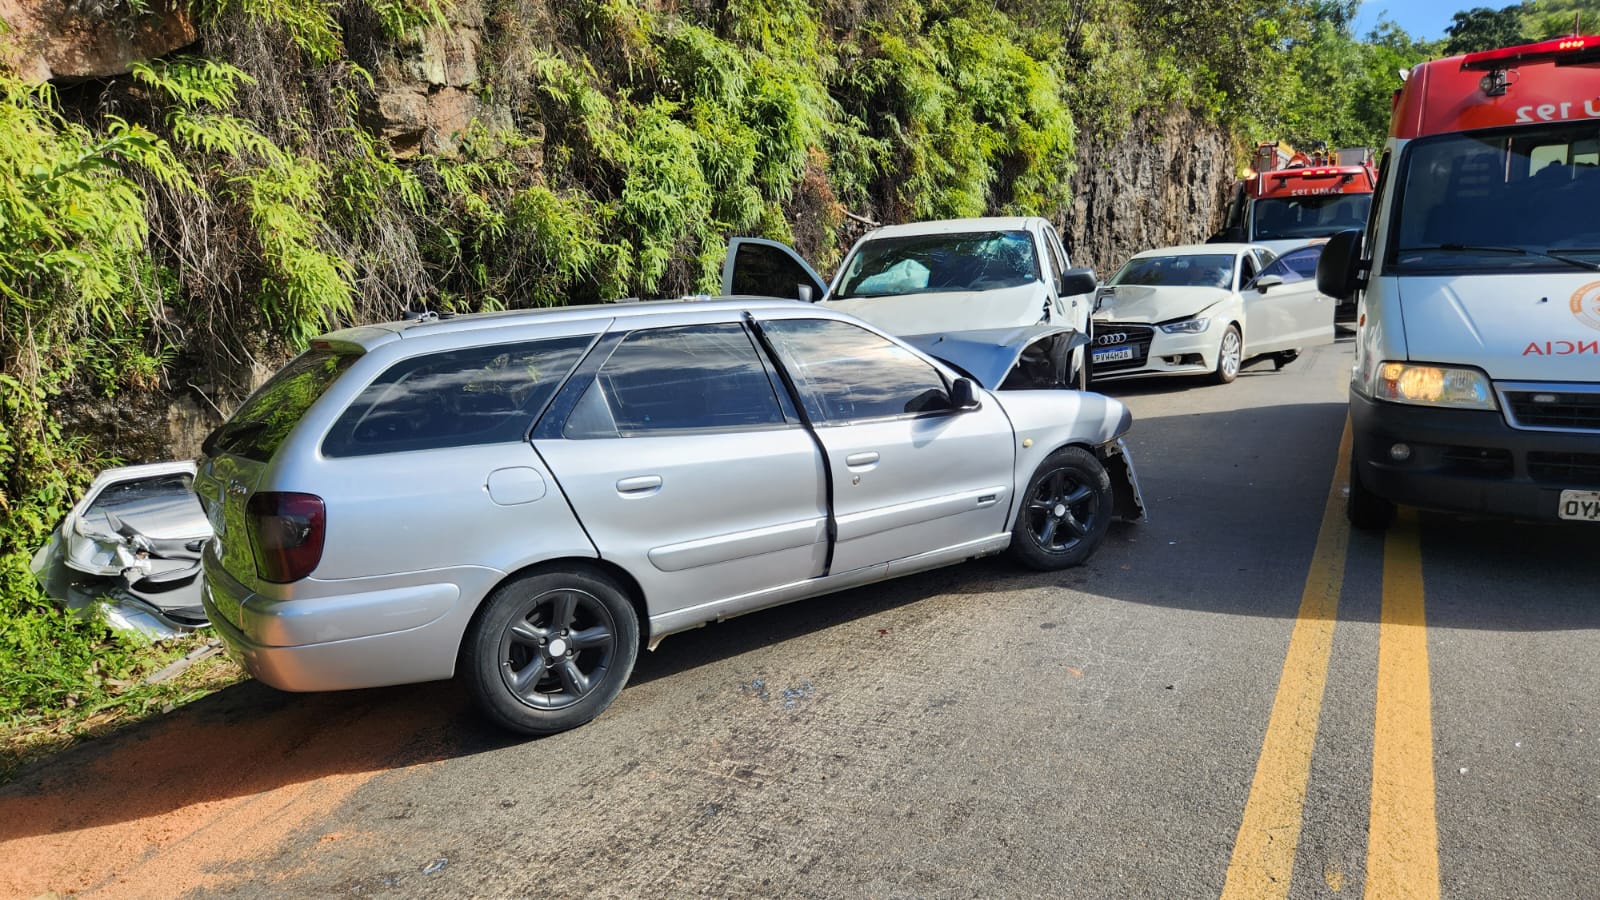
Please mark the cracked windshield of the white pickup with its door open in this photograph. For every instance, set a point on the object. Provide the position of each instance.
(934, 263)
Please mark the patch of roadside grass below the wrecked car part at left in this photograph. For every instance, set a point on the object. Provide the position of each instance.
(113, 691)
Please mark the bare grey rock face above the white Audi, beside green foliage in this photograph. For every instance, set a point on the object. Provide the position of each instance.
(1161, 185)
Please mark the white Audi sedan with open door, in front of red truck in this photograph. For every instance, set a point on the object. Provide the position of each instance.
(1209, 310)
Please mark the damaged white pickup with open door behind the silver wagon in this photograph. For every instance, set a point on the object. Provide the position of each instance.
(996, 297)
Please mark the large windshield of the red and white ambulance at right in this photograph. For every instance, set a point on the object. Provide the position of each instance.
(1513, 199)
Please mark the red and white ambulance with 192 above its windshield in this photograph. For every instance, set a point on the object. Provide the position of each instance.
(1478, 366)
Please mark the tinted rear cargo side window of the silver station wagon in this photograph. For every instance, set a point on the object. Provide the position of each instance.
(455, 398)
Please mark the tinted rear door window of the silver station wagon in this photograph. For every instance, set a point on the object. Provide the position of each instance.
(687, 379)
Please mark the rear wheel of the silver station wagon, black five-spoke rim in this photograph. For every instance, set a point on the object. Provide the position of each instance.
(551, 651)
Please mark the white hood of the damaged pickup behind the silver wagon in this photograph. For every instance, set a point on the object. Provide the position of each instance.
(948, 311)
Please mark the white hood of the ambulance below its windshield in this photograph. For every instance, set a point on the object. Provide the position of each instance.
(1519, 327)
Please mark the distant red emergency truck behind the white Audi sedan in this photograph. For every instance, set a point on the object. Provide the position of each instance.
(1292, 198)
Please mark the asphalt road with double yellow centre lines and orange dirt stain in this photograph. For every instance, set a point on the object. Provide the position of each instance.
(1236, 699)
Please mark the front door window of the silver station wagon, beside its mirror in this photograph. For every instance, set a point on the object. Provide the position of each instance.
(847, 374)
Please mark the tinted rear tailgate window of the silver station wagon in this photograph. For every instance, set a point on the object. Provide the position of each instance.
(266, 419)
